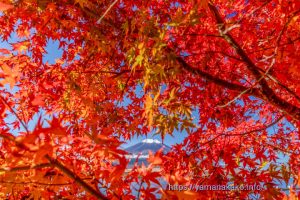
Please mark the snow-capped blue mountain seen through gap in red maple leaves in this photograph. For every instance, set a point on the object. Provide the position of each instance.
(141, 150)
